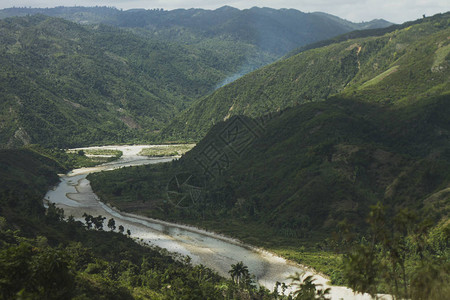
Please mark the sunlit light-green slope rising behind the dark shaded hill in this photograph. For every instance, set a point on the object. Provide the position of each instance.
(405, 64)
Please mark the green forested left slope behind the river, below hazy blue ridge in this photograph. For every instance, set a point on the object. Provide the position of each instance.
(64, 84)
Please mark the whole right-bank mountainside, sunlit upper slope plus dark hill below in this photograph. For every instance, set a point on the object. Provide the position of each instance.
(374, 128)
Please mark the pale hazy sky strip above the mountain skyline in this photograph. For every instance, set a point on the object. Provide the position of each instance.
(397, 11)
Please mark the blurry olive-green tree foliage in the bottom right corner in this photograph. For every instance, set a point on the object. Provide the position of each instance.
(398, 254)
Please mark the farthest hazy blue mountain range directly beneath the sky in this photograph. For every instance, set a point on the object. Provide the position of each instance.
(260, 35)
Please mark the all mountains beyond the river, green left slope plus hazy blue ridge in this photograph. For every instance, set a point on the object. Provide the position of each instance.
(66, 84)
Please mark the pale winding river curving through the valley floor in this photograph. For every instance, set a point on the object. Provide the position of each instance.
(75, 196)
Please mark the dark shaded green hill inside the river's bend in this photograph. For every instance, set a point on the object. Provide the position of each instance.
(308, 168)
